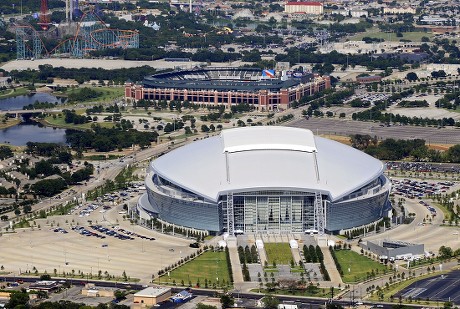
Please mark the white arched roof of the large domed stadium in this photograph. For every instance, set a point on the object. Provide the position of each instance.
(267, 158)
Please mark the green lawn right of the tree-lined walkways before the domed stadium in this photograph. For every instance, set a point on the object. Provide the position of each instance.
(359, 265)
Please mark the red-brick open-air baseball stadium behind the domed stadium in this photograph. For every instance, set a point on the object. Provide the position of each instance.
(263, 89)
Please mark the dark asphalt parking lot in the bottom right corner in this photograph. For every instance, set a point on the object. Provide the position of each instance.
(440, 288)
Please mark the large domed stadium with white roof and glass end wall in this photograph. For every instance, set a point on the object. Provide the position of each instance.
(266, 180)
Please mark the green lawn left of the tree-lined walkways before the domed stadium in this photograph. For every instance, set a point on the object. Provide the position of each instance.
(210, 265)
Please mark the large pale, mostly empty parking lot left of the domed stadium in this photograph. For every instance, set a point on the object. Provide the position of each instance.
(103, 242)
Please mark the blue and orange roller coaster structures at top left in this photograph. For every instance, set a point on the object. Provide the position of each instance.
(91, 34)
